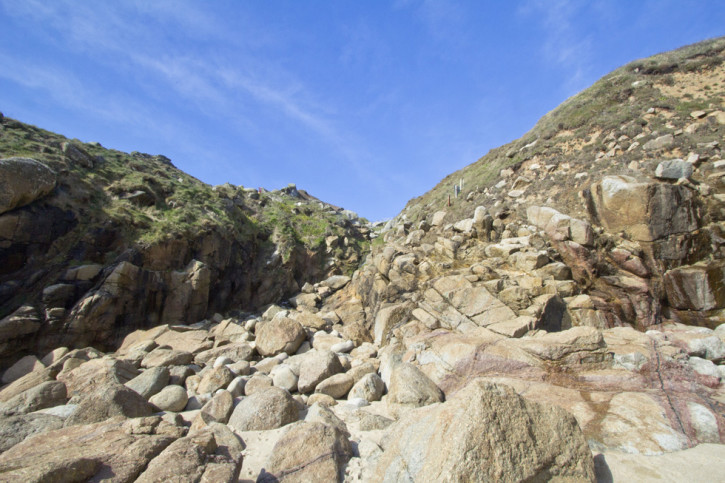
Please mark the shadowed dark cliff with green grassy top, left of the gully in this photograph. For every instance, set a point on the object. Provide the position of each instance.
(95, 243)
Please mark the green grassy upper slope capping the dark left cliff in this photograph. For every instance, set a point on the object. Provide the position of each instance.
(181, 206)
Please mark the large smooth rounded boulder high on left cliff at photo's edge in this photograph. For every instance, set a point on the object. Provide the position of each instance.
(22, 181)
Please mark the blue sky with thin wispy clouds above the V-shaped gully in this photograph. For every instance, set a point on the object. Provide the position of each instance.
(365, 104)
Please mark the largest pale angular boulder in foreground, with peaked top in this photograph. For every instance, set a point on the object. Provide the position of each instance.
(488, 431)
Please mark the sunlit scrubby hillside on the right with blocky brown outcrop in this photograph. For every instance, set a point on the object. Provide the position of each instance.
(637, 157)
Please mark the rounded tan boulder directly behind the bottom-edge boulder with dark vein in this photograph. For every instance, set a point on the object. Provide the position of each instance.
(269, 409)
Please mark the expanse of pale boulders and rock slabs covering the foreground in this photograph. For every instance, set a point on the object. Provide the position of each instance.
(305, 393)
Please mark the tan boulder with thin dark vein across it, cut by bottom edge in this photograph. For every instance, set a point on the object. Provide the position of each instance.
(309, 451)
